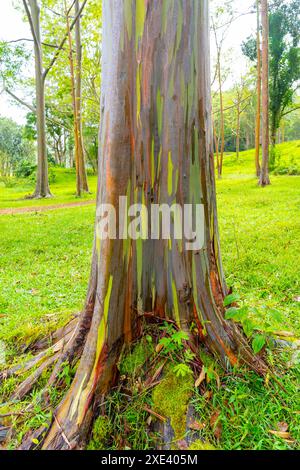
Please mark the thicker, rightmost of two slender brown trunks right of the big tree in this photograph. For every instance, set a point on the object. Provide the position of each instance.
(264, 176)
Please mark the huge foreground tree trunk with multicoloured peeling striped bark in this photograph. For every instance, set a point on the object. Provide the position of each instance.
(155, 147)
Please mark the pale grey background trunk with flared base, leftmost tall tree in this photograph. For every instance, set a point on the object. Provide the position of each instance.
(42, 182)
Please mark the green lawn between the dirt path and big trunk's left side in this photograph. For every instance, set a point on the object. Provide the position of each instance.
(44, 267)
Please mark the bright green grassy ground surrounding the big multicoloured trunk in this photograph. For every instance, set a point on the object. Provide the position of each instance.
(44, 269)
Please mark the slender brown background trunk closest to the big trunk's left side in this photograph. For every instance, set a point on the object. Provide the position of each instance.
(78, 91)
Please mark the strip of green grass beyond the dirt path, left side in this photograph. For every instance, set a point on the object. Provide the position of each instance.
(63, 189)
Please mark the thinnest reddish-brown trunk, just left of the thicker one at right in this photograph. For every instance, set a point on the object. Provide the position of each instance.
(258, 93)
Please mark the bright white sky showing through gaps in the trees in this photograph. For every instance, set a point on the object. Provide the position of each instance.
(12, 27)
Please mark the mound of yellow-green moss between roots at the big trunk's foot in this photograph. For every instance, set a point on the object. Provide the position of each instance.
(171, 398)
